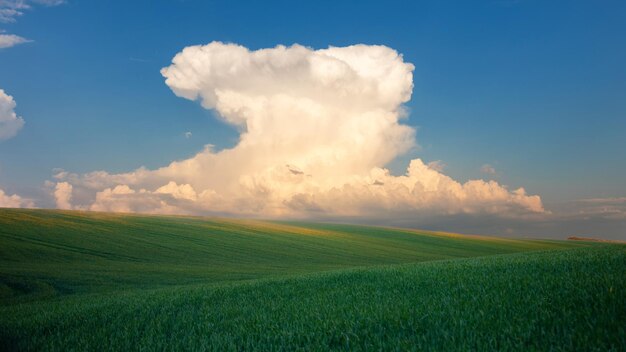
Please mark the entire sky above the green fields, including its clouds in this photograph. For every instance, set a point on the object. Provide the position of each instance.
(493, 117)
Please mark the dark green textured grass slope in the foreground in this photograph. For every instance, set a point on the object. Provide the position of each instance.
(552, 300)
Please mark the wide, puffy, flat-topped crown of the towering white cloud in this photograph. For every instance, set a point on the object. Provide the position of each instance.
(228, 77)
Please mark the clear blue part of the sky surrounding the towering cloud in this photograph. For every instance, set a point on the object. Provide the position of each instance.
(535, 89)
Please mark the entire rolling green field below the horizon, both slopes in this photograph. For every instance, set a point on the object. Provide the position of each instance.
(93, 281)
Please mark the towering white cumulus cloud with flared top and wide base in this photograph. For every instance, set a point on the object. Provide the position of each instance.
(317, 128)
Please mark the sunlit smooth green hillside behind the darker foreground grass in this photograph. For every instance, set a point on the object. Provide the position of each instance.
(45, 254)
